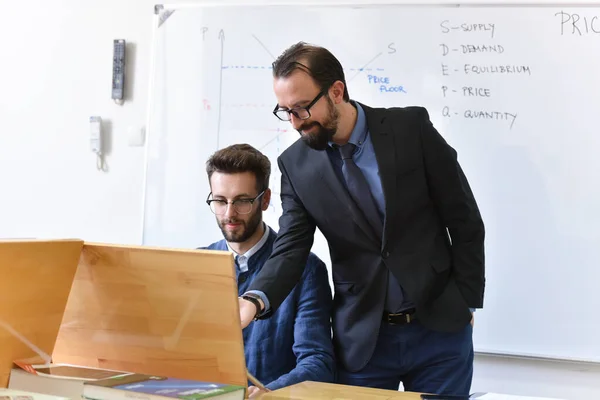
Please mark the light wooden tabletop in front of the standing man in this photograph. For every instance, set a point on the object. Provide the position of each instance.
(326, 391)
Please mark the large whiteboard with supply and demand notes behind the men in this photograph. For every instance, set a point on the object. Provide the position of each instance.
(527, 143)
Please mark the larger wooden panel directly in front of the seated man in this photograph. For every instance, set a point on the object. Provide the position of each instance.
(155, 311)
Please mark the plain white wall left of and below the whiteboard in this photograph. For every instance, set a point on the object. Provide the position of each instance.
(56, 72)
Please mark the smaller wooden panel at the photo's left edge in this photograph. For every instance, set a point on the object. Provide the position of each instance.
(36, 278)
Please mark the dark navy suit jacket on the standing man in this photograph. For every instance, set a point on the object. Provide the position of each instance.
(432, 239)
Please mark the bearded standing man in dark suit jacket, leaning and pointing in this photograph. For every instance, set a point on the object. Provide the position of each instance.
(404, 231)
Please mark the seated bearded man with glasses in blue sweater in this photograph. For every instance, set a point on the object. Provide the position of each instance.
(294, 345)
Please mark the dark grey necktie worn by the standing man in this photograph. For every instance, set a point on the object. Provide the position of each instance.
(361, 193)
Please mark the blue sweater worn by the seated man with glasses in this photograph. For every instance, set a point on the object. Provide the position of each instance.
(294, 344)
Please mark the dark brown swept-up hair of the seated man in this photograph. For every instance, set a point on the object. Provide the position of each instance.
(241, 158)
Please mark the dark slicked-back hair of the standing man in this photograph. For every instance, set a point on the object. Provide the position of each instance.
(316, 61)
